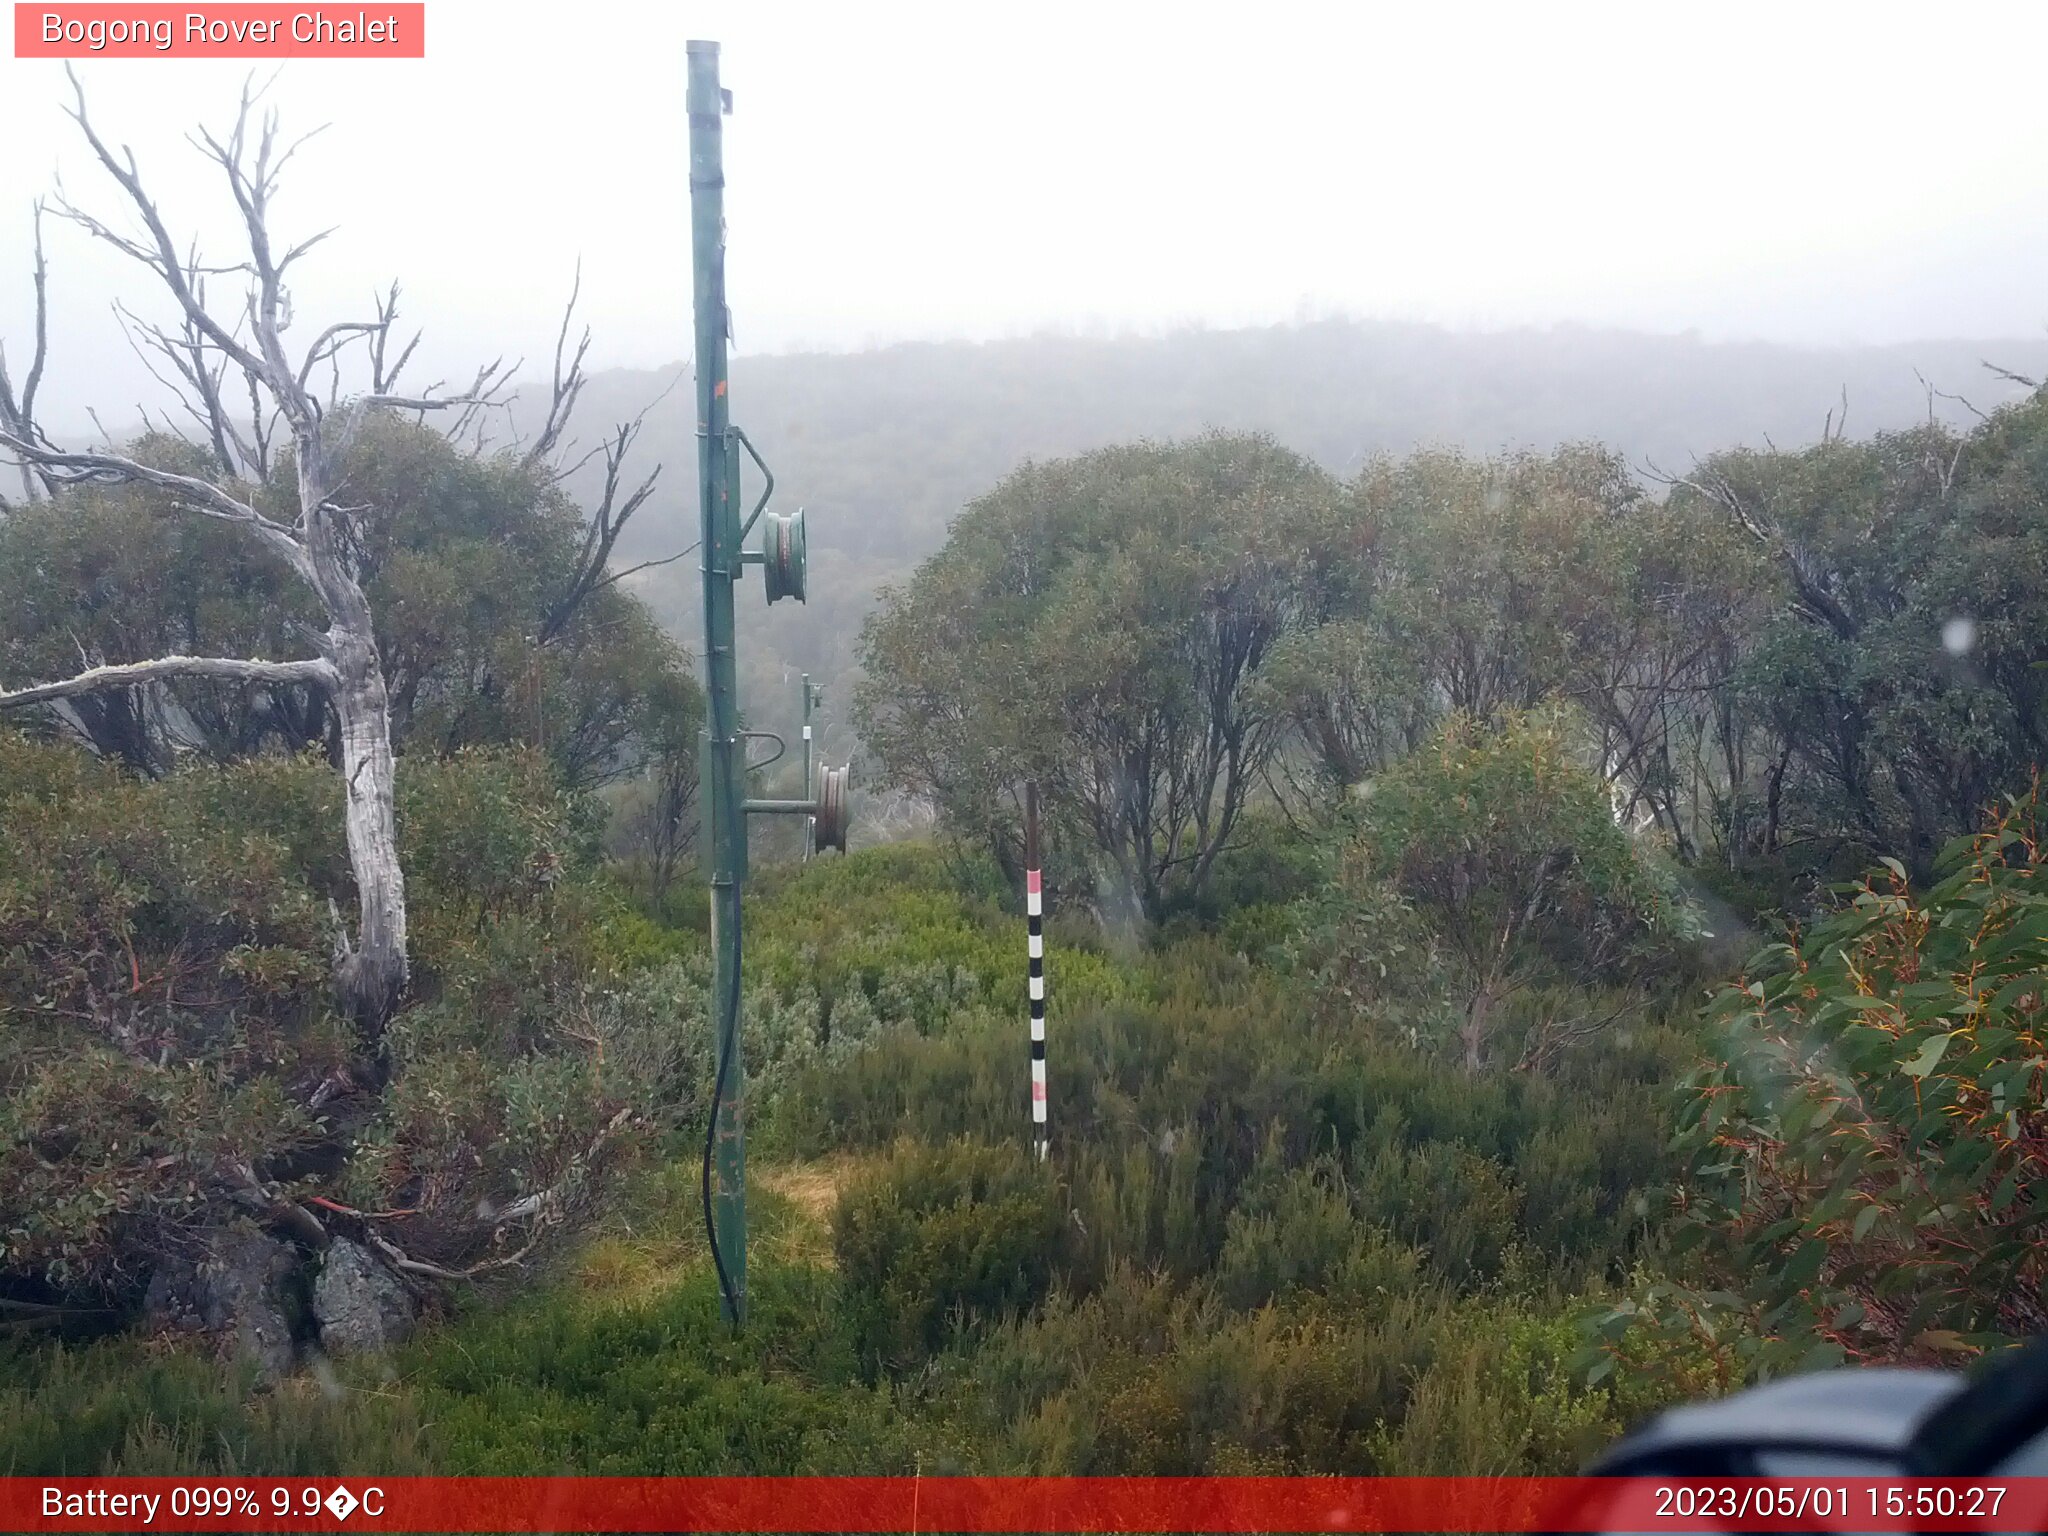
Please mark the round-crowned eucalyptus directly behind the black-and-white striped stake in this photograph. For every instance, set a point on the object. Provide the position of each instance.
(1099, 626)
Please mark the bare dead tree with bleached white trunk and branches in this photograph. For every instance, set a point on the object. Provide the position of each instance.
(210, 359)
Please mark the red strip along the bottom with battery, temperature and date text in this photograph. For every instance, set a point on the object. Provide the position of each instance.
(1021, 1504)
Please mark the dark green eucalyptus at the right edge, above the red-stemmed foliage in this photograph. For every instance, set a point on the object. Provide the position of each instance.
(1893, 673)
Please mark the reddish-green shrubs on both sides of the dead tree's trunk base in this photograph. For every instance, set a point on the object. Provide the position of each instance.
(167, 1013)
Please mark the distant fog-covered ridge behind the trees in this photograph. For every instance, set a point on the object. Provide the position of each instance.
(886, 447)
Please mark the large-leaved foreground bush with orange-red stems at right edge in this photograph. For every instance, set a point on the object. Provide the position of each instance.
(1869, 1152)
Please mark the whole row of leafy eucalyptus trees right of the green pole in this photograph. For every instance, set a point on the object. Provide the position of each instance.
(1785, 665)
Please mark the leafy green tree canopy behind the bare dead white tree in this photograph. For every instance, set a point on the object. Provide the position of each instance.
(462, 558)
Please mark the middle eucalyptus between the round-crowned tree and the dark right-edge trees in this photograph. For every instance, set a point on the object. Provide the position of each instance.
(1490, 585)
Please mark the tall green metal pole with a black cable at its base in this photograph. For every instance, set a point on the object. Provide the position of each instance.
(722, 744)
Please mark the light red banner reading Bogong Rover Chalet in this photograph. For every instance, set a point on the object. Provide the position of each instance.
(220, 32)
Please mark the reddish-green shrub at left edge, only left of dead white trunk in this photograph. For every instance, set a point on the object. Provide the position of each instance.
(163, 996)
